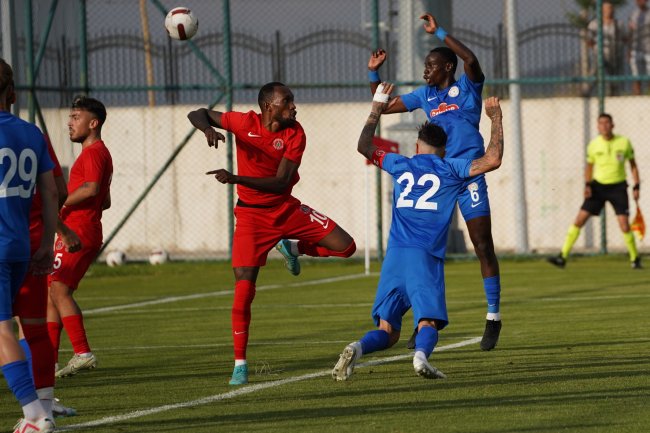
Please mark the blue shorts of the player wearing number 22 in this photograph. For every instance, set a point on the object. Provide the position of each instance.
(410, 278)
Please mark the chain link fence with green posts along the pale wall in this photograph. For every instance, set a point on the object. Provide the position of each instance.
(161, 196)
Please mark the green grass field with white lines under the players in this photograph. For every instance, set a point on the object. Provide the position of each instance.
(574, 353)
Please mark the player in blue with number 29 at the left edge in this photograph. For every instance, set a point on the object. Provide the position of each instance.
(24, 164)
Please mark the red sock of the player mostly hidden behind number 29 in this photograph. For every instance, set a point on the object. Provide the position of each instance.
(42, 354)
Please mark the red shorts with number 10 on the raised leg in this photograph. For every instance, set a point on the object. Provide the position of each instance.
(258, 230)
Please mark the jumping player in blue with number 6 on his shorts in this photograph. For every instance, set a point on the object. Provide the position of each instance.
(455, 106)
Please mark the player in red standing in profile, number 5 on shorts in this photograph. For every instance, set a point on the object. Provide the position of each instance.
(88, 196)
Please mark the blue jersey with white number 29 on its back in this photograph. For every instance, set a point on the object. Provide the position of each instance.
(23, 156)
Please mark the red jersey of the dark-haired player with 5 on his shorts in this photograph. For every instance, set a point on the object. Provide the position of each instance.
(94, 164)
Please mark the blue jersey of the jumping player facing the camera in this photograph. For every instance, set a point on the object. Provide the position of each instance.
(457, 110)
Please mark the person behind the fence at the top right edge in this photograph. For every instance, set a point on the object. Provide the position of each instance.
(639, 42)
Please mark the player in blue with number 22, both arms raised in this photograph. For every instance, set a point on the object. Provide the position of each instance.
(426, 187)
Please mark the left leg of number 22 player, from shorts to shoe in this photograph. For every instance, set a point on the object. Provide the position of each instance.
(391, 303)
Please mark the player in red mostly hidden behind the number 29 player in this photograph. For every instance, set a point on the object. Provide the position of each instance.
(30, 305)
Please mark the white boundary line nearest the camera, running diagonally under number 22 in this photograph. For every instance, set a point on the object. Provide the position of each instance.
(245, 390)
